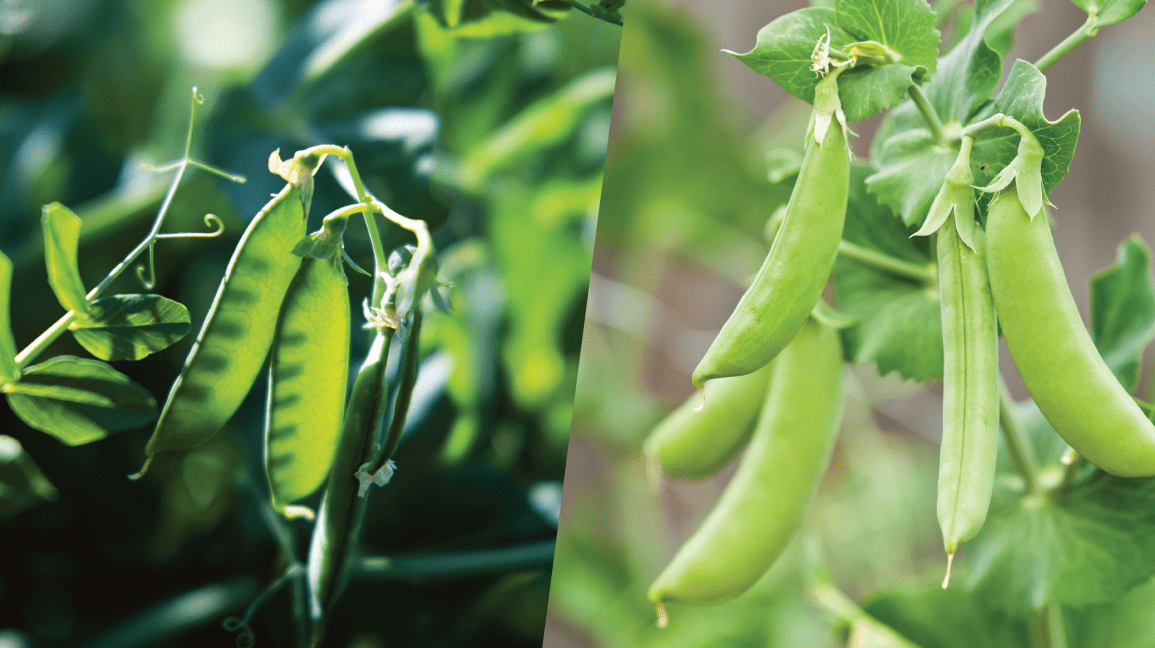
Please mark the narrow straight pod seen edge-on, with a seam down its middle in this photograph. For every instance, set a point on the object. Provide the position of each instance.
(971, 389)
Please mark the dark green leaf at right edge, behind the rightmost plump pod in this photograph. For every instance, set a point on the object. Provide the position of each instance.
(1123, 311)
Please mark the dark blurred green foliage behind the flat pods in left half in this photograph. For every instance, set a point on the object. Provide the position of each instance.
(489, 121)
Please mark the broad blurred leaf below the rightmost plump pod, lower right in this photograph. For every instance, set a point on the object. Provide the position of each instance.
(1087, 547)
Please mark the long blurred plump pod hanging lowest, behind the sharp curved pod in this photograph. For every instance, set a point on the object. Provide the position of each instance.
(764, 504)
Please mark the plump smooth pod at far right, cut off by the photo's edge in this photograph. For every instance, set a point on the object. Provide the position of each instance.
(1056, 357)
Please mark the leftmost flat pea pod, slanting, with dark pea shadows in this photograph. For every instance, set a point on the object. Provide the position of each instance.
(239, 330)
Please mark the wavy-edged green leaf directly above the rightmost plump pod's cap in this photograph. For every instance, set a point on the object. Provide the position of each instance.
(1022, 98)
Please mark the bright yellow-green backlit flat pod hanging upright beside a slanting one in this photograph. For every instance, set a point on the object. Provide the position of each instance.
(308, 378)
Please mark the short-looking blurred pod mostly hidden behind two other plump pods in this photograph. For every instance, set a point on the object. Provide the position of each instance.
(697, 442)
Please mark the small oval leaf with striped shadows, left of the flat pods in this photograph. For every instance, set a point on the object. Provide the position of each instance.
(130, 327)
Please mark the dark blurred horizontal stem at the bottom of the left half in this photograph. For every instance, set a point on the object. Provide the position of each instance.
(530, 556)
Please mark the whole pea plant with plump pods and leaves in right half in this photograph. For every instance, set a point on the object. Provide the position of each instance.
(936, 244)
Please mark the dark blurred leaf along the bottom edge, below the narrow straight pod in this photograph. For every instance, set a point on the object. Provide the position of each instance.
(934, 617)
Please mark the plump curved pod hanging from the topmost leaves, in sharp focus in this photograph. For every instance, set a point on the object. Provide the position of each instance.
(792, 279)
